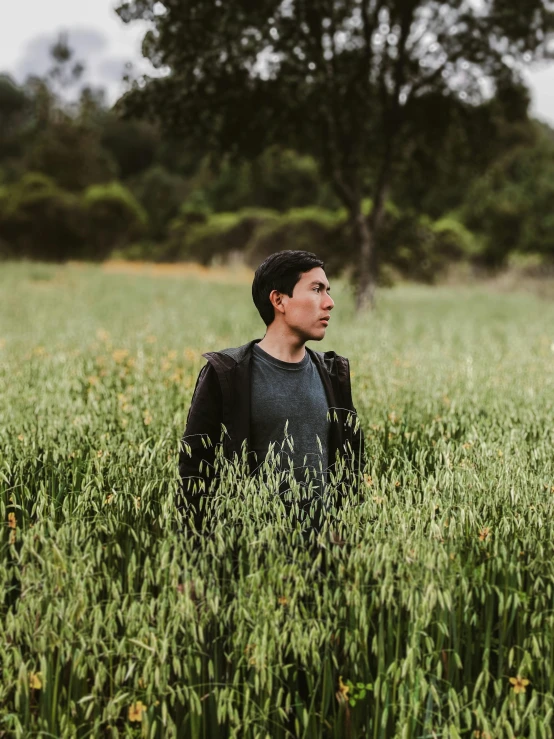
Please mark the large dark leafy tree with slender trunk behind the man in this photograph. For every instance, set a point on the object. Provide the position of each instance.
(342, 79)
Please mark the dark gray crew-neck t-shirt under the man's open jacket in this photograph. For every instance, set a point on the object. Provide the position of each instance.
(289, 396)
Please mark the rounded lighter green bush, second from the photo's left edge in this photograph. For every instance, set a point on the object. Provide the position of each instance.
(114, 218)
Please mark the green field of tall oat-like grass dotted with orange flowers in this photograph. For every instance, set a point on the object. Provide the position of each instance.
(436, 617)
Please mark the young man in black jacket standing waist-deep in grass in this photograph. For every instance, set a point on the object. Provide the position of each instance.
(275, 394)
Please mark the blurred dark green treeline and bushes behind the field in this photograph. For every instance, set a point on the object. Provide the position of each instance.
(80, 182)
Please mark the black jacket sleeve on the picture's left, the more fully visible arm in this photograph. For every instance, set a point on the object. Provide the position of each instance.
(197, 448)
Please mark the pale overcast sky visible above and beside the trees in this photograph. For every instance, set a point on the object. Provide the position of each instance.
(105, 44)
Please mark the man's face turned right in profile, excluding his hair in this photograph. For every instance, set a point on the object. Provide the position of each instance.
(307, 312)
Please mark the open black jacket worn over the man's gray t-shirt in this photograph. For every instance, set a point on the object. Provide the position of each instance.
(222, 397)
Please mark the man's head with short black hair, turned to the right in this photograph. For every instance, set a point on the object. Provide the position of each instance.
(292, 288)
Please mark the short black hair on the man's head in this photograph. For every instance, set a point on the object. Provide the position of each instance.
(281, 271)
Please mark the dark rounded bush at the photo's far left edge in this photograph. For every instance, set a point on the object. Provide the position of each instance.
(39, 220)
